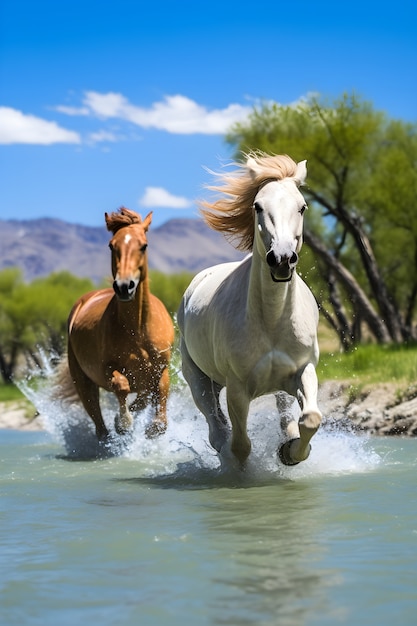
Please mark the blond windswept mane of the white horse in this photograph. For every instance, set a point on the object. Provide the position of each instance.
(232, 214)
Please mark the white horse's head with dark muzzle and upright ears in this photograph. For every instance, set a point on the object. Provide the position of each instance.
(279, 208)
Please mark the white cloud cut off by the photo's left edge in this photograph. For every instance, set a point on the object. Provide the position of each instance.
(16, 127)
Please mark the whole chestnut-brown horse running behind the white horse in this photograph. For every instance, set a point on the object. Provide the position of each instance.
(120, 339)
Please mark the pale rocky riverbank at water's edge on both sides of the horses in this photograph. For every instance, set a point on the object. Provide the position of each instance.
(384, 409)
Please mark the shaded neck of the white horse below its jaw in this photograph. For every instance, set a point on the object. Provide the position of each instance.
(267, 300)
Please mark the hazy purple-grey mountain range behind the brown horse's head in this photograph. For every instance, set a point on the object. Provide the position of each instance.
(42, 246)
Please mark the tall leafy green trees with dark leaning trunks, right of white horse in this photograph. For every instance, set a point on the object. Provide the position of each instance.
(362, 187)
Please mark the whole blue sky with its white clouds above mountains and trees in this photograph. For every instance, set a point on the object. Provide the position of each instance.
(104, 104)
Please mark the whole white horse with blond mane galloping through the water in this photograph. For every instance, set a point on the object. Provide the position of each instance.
(251, 326)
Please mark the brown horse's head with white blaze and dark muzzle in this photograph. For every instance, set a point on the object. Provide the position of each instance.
(128, 249)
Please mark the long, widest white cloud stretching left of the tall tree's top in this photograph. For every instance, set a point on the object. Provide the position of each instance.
(174, 114)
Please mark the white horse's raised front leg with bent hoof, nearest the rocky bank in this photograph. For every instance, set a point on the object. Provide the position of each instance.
(297, 450)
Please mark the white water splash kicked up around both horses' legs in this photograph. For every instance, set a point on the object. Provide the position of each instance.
(184, 449)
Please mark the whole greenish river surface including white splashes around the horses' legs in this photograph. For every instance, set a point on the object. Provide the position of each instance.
(161, 533)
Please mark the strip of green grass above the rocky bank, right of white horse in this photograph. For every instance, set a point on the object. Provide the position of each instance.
(370, 364)
